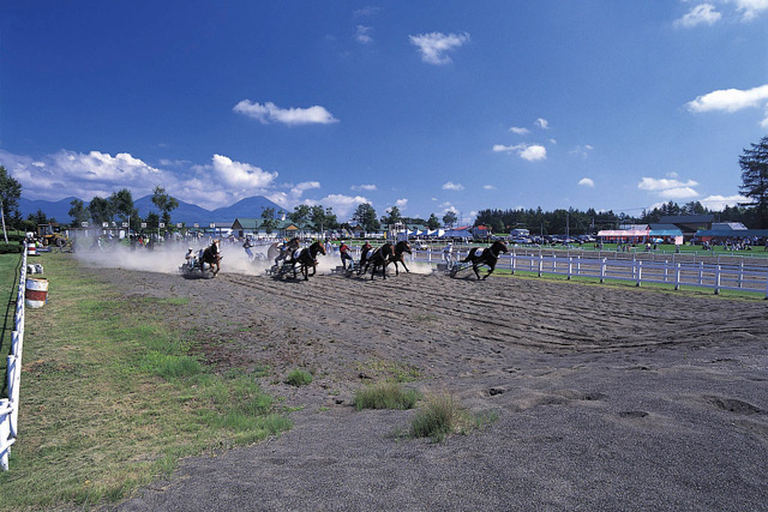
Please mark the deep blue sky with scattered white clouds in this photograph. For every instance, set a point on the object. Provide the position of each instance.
(430, 106)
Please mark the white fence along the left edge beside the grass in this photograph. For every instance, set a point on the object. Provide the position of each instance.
(9, 407)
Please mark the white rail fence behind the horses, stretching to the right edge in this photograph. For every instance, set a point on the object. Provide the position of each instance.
(742, 276)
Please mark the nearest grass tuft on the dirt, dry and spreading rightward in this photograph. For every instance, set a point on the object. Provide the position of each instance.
(443, 415)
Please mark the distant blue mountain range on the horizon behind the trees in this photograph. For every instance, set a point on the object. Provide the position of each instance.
(188, 213)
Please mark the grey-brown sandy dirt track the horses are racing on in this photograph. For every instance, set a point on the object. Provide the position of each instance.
(607, 399)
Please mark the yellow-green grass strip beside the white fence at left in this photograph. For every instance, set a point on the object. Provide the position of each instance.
(111, 397)
